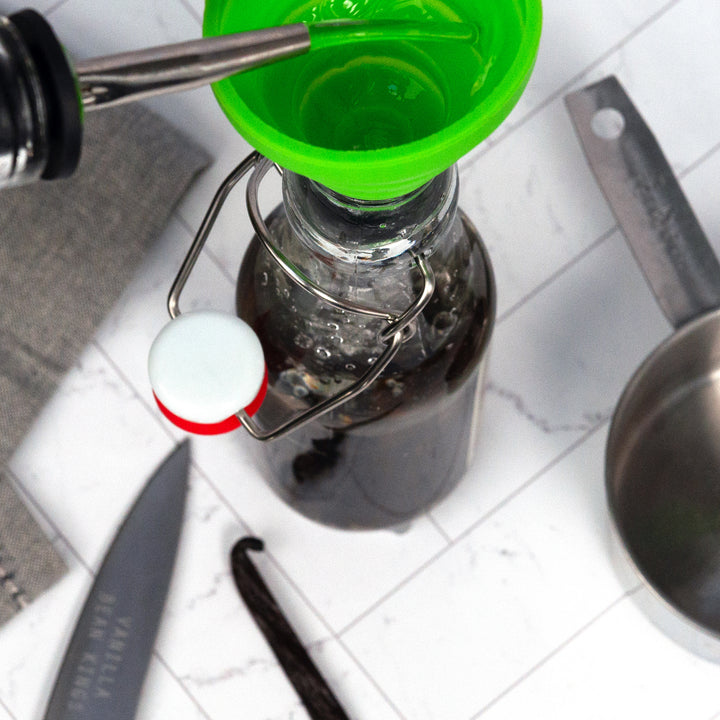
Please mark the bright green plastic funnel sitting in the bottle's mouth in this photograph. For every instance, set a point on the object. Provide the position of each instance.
(375, 120)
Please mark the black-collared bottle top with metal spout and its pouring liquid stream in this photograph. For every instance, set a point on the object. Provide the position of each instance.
(46, 139)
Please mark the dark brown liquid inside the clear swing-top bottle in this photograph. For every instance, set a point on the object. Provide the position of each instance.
(394, 451)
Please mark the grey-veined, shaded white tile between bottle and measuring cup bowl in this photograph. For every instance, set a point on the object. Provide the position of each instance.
(556, 369)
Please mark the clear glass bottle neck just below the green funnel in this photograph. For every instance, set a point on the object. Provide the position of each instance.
(343, 229)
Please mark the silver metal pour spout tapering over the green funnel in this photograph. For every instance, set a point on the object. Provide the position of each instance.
(131, 76)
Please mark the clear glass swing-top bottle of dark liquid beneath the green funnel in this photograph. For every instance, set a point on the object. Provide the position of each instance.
(400, 446)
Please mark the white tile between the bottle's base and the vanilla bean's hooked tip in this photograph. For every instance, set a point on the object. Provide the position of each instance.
(341, 574)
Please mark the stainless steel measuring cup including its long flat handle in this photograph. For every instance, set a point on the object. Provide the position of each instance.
(663, 451)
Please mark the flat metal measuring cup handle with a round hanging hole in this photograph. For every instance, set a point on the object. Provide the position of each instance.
(647, 201)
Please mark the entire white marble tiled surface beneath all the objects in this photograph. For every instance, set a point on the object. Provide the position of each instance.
(503, 603)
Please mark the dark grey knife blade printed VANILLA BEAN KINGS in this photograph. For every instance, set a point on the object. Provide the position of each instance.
(108, 655)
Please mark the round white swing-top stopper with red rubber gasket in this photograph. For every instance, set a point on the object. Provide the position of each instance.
(204, 367)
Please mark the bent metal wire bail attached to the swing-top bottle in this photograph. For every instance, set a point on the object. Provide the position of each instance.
(392, 336)
